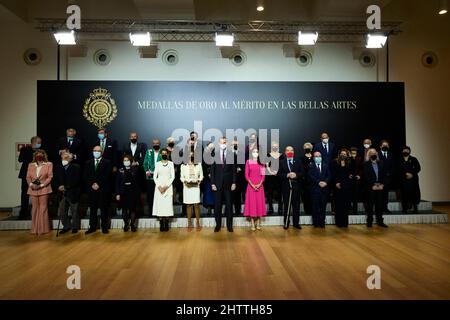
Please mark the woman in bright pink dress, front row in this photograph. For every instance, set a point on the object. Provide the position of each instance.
(255, 201)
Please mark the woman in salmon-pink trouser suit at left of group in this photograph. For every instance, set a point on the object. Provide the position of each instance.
(39, 176)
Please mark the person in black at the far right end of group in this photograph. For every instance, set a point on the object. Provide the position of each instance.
(409, 180)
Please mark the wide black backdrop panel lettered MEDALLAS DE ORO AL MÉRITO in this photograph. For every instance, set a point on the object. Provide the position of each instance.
(348, 111)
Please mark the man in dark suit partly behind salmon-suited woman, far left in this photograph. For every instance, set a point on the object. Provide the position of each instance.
(26, 157)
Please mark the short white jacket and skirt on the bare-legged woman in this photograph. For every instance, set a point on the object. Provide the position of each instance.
(191, 173)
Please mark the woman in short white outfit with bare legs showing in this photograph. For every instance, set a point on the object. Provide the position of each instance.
(191, 175)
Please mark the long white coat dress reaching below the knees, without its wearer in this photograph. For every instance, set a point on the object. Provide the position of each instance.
(162, 202)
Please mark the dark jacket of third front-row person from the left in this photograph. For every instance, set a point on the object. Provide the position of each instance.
(101, 176)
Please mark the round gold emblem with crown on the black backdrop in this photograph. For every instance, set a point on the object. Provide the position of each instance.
(100, 109)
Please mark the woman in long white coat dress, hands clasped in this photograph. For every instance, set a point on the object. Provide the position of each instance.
(163, 176)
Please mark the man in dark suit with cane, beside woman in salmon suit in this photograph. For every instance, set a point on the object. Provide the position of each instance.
(68, 179)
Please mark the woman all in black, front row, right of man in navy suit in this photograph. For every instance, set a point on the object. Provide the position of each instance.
(342, 183)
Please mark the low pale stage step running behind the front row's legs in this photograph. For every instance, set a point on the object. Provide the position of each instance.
(429, 217)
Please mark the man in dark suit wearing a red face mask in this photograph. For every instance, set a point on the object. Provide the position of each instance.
(290, 171)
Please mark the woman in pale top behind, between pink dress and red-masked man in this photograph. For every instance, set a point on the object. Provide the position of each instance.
(273, 183)
